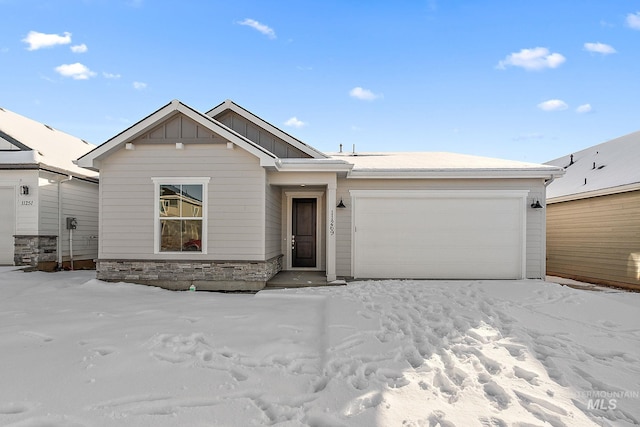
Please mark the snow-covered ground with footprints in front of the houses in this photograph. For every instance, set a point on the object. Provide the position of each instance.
(75, 351)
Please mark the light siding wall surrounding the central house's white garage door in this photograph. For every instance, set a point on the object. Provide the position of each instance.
(534, 227)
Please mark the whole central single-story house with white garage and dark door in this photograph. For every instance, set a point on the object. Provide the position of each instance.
(226, 200)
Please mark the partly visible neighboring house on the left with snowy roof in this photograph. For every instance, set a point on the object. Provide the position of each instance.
(40, 188)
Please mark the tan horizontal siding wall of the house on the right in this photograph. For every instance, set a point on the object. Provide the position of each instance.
(596, 239)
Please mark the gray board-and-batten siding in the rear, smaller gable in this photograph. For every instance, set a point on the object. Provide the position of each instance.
(260, 136)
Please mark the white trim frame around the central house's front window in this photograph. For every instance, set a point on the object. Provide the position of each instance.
(157, 182)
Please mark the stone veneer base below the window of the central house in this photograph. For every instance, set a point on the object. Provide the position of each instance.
(181, 274)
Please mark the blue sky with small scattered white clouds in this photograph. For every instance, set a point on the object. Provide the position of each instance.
(520, 80)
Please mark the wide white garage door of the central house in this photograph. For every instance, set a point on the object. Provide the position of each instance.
(439, 235)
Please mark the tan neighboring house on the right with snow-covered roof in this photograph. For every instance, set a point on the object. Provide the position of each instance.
(593, 215)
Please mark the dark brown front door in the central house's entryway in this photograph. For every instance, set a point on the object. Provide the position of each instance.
(303, 233)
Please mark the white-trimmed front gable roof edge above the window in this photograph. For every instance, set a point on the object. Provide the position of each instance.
(92, 159)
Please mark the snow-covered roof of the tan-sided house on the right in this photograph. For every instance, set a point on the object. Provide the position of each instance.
(607, 168)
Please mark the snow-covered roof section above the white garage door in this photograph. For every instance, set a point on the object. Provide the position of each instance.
(441, 165)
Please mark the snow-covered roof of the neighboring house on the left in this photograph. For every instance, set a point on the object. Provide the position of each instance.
(30, 142)
